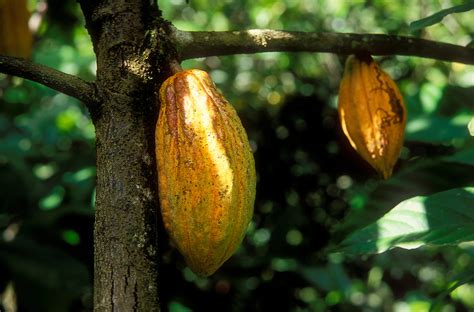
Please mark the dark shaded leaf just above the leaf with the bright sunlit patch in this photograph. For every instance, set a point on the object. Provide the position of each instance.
(423, 177)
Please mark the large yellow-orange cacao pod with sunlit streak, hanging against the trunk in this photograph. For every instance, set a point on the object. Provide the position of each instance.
(206, 171)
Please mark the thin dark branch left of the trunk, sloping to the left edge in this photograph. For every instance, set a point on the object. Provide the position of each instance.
(59, 81)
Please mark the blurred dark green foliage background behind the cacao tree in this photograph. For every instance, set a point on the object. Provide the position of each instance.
(313, 190)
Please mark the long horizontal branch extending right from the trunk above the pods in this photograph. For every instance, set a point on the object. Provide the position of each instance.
(202, 44)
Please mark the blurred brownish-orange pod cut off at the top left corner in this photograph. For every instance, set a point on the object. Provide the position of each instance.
(15, 36)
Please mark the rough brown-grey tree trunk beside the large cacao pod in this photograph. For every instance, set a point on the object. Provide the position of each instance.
(125, 239)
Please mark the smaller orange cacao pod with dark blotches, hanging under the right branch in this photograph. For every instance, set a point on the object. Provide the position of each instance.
(372, 113)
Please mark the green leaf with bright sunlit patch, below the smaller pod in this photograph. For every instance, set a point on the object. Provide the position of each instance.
(440, 219)
